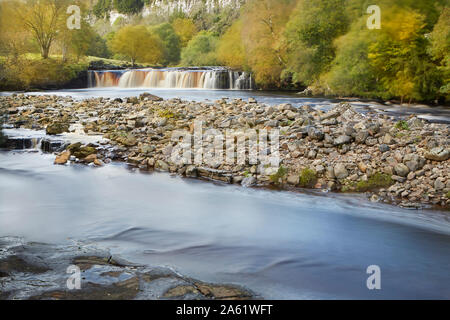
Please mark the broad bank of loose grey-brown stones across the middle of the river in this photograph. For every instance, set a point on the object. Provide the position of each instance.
(404, 162)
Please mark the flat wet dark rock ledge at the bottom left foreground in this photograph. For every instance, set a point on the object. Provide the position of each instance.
(39, 271)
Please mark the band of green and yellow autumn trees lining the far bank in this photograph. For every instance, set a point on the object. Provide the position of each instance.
(321, 44)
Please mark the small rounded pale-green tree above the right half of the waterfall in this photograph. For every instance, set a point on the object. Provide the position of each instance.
(201, 50)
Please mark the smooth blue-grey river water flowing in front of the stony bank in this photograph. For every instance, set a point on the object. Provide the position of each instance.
(279, 244)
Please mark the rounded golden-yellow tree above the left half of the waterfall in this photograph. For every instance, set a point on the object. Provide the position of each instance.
(137, 44)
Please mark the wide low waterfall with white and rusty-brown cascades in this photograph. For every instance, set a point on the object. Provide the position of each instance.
(176, 78)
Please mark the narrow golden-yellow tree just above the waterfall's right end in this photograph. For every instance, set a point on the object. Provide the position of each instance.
(231, 51)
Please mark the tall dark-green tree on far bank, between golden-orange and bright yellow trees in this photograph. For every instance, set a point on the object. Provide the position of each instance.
(310, 33)
